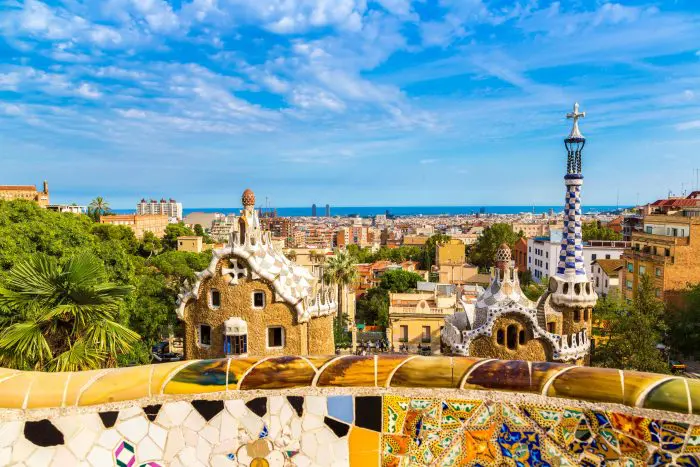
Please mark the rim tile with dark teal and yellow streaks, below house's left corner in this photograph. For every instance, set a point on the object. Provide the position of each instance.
(200, 377)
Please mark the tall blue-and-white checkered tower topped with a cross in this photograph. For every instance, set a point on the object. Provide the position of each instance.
(571, 285)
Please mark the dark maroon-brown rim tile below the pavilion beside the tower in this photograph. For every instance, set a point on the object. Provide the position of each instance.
(504, 375)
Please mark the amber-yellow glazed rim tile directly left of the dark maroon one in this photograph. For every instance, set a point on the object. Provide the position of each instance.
(425, 372)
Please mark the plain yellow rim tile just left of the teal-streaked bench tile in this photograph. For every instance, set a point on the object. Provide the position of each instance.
(118, 384)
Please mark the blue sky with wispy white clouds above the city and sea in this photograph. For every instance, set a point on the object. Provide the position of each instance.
(347, 102)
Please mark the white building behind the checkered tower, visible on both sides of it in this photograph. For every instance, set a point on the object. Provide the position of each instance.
(543, 253)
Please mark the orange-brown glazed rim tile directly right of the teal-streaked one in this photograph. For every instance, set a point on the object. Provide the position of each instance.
(279, 373)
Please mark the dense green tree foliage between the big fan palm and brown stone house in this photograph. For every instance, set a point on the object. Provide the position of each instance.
(151, 270)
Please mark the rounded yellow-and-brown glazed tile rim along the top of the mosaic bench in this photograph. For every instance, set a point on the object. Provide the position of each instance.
(22, 390)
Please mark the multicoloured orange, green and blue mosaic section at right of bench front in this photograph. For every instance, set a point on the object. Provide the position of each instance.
(448, 432)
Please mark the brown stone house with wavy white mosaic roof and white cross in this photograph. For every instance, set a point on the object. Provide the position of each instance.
(252, 300)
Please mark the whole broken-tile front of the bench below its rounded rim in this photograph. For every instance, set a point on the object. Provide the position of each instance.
(341, 430)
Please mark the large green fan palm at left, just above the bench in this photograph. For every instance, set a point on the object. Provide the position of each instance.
(62, 317)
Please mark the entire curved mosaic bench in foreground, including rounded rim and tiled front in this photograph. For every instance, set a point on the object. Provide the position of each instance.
(384, 410)
